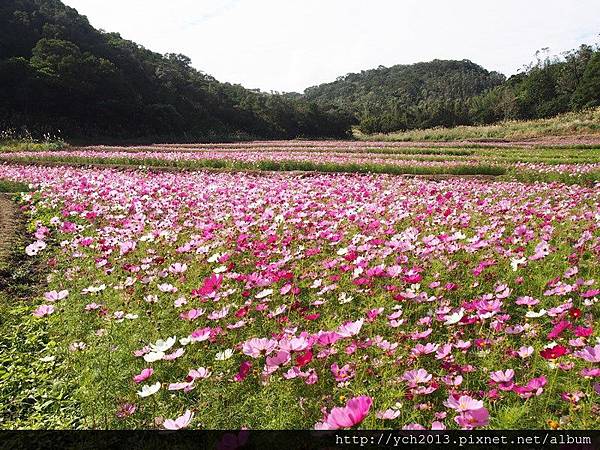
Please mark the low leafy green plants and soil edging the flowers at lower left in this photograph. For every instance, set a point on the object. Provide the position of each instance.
(36, 393)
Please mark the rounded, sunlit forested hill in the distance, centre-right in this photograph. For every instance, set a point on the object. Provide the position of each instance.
(419, 95)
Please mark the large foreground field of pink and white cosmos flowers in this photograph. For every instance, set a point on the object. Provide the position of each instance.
(194, 299)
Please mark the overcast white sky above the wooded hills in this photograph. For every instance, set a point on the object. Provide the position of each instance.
(286, 45)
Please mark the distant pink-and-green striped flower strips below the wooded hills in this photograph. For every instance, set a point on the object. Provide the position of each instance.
(534, 162)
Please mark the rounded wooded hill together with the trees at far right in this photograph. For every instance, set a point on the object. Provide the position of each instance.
(452, 93)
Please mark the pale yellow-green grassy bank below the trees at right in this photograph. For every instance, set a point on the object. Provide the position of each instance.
(569, 124)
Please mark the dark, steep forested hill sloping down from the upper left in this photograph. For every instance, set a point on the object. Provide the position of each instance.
(59, 73)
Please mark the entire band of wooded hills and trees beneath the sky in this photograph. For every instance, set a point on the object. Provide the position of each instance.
(59, 75)
